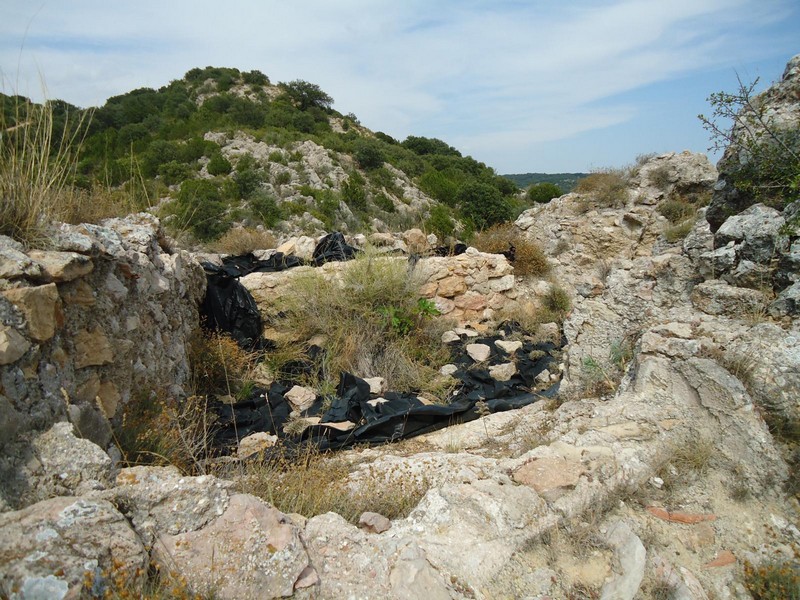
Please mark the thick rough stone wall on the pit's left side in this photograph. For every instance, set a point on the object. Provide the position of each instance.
(102, 316)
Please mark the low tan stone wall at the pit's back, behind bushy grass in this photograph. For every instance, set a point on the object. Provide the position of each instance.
(467, 288)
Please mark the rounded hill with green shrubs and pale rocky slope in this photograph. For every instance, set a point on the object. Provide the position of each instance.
(220, 148)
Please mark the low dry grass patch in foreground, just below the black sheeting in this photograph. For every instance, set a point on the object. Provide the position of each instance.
(312, 484)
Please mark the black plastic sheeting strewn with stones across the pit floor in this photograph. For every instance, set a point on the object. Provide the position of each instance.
(394, 416)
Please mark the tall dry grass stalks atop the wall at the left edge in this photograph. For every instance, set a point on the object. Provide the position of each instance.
(37, 166)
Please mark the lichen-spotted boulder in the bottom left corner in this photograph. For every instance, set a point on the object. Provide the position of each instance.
(52, 548)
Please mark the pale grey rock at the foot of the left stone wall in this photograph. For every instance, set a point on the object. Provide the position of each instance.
(70, 465)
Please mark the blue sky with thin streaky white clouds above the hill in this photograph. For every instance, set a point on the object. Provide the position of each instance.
(522, 85)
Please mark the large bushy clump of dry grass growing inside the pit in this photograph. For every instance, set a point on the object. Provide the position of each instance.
(372, 323)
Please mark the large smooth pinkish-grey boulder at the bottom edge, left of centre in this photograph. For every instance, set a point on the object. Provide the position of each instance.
(252, 540)
